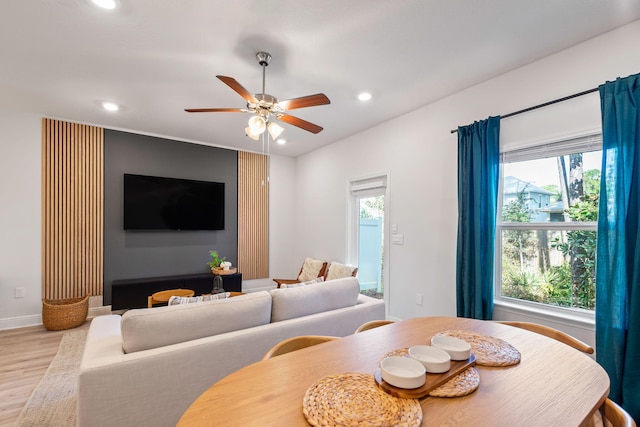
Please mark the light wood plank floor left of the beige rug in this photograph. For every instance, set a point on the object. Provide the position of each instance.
(25, 354)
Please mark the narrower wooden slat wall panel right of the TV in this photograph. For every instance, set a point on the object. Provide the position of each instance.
(253, 215)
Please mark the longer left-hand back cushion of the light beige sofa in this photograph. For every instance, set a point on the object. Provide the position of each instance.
(143, 329)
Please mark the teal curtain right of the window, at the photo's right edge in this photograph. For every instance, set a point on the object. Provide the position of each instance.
(618, 246)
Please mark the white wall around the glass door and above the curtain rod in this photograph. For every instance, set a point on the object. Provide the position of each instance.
(420, 154)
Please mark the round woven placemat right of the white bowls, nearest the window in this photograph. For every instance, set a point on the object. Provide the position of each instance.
(489, 351)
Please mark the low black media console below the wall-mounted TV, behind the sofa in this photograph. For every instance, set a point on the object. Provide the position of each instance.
(133, 293)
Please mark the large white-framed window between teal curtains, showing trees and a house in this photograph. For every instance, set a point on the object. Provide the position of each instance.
(547, 222)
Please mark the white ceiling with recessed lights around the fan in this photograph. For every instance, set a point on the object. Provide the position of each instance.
(62, 58)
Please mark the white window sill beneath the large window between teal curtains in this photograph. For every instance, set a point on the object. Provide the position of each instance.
(575, 318)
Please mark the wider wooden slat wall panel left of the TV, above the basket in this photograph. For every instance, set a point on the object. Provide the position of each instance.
(72, 209)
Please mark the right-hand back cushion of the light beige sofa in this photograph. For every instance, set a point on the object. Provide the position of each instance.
(311, 299)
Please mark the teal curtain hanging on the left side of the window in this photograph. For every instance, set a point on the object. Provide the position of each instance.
(478, 173)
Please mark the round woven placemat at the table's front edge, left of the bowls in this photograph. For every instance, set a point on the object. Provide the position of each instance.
(353, 399)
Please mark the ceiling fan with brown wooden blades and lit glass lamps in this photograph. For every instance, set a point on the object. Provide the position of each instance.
(265, 107)
